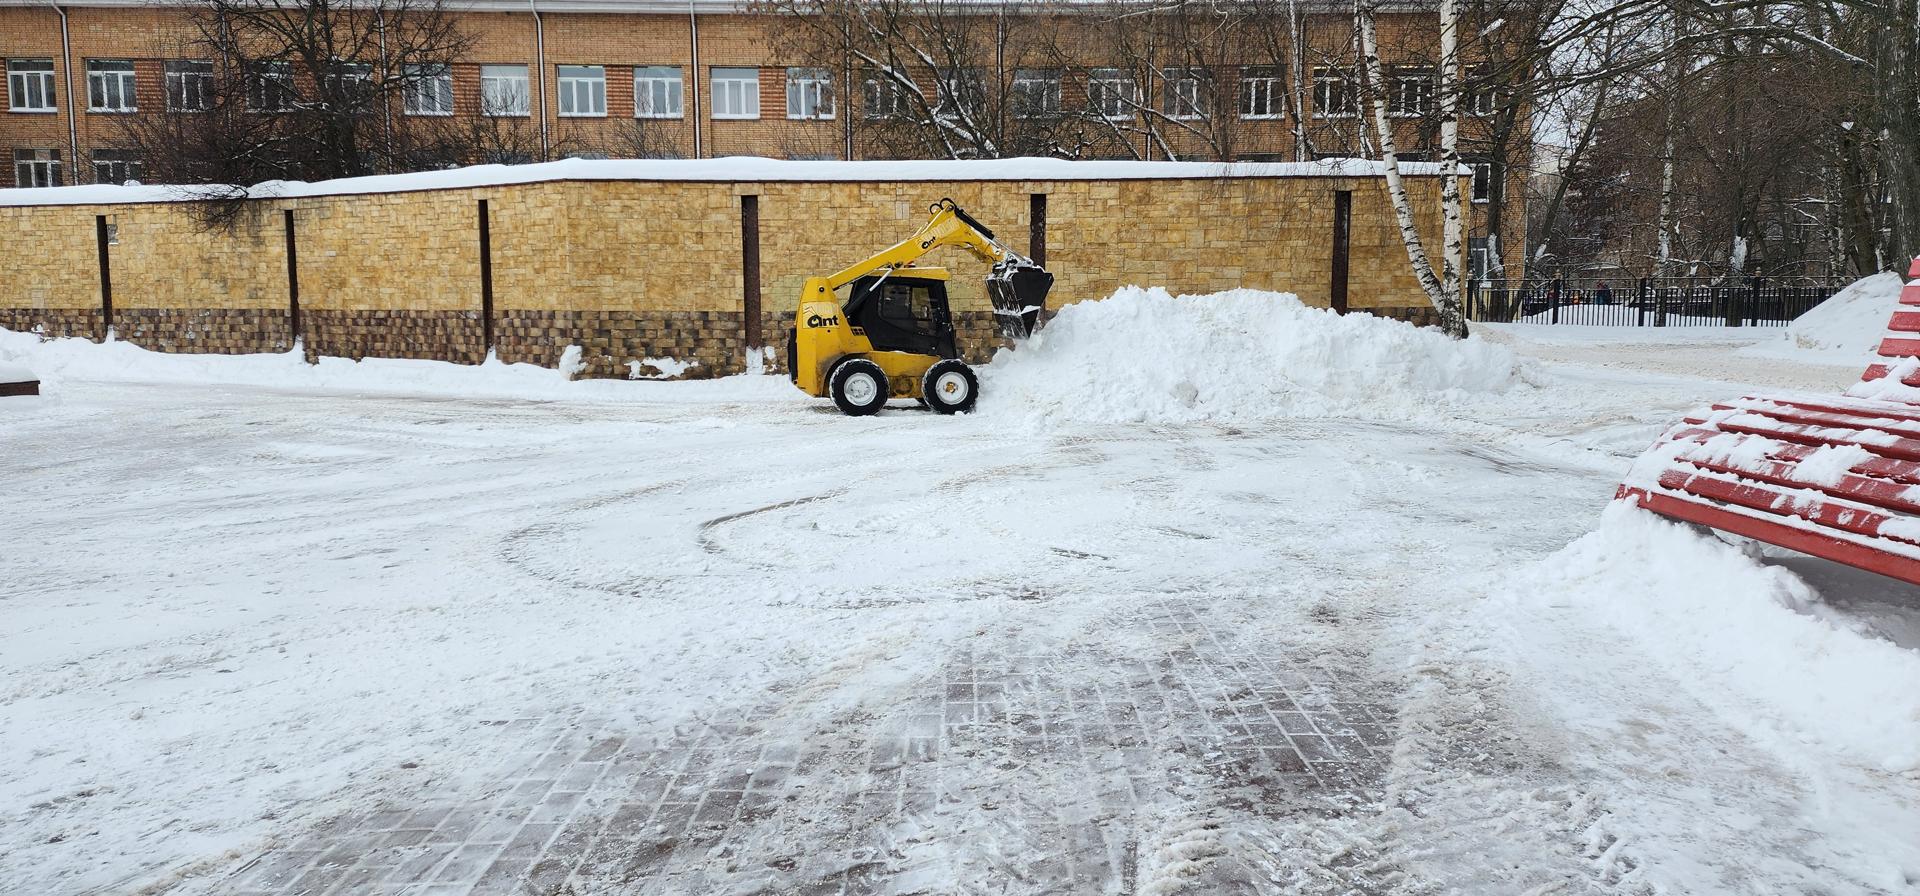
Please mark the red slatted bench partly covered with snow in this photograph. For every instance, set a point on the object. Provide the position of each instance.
(1835, 477)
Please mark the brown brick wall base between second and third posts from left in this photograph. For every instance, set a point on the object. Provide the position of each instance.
(416, 335)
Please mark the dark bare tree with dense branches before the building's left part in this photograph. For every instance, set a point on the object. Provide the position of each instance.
(306, 89)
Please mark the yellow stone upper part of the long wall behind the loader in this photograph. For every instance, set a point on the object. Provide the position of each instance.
(669, 254)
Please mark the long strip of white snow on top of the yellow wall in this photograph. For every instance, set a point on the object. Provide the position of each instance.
(729, 170)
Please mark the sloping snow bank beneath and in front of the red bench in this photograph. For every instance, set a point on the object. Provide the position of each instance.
(1748, 638)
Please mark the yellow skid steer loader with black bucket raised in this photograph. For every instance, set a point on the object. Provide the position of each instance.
(894, 339)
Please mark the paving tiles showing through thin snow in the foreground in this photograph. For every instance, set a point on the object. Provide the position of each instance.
(1028, 768)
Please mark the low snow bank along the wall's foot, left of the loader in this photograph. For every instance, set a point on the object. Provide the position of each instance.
(120, 362)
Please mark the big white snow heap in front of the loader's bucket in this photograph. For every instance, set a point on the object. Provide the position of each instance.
(1145, 356)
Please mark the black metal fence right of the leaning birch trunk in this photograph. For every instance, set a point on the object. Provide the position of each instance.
(1646, 302)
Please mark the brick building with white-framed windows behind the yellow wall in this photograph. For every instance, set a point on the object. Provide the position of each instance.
(715, 78)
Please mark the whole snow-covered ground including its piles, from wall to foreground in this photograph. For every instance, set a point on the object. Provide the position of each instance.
(1212, 596)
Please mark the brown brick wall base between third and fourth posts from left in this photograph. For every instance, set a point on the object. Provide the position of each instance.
(613, 341)
